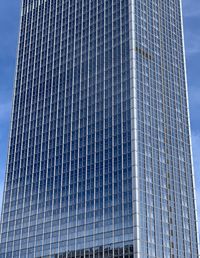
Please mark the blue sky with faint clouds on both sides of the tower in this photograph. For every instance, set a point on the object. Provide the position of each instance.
(9, 25)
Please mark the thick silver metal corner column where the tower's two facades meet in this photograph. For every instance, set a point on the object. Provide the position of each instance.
(134, 129)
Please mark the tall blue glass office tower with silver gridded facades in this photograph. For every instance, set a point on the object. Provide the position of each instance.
(99, 161)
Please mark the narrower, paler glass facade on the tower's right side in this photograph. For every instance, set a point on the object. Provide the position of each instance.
(166, 196)
